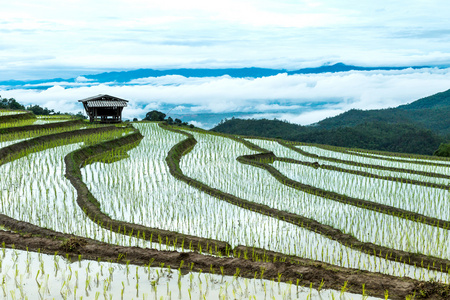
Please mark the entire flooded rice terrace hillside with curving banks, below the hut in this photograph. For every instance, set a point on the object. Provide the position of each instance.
(148, 210)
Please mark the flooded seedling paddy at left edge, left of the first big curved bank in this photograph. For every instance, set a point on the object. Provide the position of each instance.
(52, 196)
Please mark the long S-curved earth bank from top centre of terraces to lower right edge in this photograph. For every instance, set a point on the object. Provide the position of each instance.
(414, 259)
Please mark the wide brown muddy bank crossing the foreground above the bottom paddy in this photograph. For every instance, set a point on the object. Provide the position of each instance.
(299, 272)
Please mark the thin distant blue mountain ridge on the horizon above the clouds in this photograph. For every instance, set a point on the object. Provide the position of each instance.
(253, 72)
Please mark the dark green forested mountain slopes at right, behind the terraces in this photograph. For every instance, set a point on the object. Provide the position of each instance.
(419, 127)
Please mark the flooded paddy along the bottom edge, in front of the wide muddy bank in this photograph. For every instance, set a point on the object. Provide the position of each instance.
(30, 275)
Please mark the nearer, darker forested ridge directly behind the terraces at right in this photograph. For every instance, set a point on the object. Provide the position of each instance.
(377, 135)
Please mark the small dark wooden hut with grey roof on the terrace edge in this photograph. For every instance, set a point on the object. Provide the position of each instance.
(104, 108)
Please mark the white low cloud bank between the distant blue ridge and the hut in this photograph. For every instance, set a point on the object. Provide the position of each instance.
(302, 99)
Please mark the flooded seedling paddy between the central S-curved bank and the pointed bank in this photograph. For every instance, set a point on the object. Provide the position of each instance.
(213, 161)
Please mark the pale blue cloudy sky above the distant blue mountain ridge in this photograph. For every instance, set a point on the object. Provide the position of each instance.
(47, 37)
